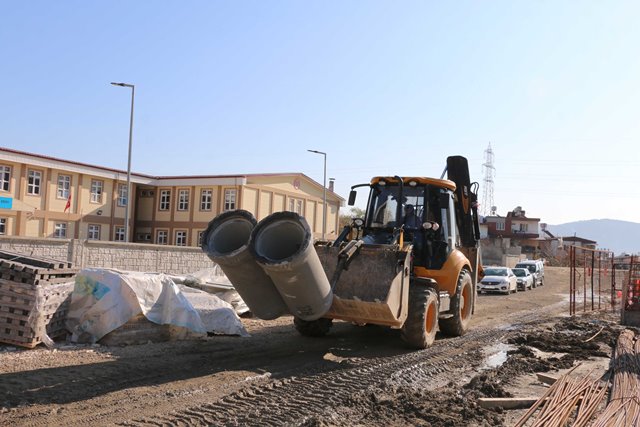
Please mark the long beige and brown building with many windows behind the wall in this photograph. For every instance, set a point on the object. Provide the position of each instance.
(42, 196)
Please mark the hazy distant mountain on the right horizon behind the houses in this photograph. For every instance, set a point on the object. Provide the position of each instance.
(617, 236)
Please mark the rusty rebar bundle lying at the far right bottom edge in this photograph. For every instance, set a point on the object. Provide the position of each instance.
(623, 408)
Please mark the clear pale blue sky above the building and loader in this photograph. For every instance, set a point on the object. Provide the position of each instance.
(385, 88)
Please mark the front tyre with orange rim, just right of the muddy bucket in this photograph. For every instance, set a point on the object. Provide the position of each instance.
(420, 328)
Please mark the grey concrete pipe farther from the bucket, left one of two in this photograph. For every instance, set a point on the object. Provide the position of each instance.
(226, 242)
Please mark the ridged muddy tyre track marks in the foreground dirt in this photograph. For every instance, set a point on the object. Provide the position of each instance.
(292, 401)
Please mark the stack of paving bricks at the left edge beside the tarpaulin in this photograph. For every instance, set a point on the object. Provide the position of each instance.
(35, 293)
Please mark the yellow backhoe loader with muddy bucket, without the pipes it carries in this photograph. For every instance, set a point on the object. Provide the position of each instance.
(412, 262)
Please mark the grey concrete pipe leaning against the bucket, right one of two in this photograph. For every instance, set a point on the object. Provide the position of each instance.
(282, 244)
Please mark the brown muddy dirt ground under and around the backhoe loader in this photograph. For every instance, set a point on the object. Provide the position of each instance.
(354, 376)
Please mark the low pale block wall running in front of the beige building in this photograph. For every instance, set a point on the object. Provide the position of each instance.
(123, 256)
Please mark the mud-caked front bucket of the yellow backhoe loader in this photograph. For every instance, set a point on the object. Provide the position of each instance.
(373, 288)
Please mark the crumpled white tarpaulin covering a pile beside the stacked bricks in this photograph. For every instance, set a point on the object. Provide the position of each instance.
(105, 299)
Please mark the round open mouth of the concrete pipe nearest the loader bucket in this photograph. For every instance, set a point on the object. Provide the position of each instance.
(280, 240)
